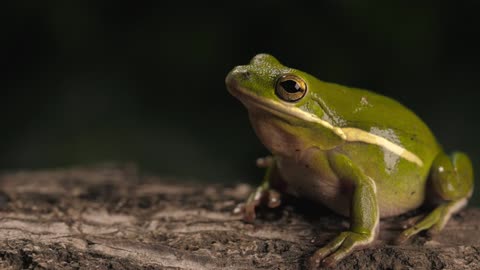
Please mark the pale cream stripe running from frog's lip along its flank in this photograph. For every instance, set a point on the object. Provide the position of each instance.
(346, 133)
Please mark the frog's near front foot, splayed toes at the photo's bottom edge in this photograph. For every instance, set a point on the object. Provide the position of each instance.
(339, 247)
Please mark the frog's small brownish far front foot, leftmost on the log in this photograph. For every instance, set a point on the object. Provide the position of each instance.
(260, 195)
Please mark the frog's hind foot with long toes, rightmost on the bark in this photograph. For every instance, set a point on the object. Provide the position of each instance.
(433, 222)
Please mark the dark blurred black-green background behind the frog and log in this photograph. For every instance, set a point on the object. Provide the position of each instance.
(85, 82)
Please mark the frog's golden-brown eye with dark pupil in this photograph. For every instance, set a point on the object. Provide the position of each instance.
(290, 88)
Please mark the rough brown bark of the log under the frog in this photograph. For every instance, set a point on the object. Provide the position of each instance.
(116, 218)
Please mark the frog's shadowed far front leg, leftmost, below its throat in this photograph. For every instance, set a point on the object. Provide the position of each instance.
(261, 193)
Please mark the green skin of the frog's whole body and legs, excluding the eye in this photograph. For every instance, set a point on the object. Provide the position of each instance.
(355, 178)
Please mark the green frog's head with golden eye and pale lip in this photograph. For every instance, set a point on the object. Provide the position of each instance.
(281, 100)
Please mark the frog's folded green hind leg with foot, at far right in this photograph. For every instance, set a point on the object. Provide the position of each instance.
(452, 181)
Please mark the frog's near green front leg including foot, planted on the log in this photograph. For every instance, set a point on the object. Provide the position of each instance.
(364, 213)
